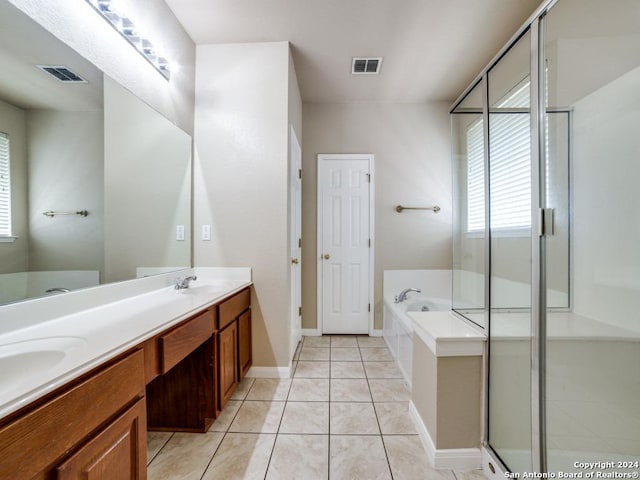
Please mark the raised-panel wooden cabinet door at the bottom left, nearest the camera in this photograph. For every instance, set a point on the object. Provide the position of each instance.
(118, 452)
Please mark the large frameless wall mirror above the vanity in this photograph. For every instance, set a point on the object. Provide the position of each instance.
(95, 185)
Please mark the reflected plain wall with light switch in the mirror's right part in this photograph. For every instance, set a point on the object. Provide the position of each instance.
(147, 187)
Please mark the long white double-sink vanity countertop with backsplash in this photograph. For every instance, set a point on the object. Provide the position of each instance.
(60, 338)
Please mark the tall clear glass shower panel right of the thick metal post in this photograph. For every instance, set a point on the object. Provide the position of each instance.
(592, 69)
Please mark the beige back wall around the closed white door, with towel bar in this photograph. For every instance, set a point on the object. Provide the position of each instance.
(410, 143)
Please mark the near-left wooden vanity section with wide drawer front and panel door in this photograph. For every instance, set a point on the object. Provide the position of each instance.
(94, 429)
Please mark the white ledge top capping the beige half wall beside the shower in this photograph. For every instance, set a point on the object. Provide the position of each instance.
(447, 335)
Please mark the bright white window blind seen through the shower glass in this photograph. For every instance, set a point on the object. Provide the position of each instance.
(510, 166)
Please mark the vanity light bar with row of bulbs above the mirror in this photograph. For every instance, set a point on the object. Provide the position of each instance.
(128, 30)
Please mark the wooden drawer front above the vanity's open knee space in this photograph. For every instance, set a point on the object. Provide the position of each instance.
(183, 340)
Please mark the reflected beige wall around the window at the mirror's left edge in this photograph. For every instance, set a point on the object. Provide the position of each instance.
(14, 257)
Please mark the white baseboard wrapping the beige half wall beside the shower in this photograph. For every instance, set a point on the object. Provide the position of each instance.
(447, 458)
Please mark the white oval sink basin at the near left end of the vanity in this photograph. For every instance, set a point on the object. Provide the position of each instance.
(21, 359)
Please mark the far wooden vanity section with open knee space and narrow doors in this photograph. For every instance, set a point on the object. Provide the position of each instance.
(194, 368)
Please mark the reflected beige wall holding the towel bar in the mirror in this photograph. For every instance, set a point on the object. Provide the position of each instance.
(65, 174)
